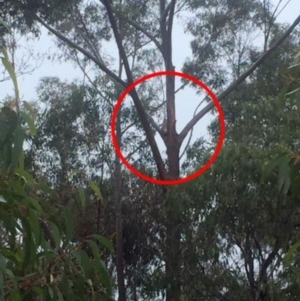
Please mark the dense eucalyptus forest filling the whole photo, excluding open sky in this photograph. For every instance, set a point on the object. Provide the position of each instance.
(77, 225)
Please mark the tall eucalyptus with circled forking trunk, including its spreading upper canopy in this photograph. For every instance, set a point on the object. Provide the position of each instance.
(83, 27)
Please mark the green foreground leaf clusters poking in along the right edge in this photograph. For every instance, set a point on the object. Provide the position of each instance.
(285, 166)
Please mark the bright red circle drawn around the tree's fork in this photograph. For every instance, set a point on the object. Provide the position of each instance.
(197, 173)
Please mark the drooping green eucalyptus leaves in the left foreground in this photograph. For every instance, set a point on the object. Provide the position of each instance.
(38, 259)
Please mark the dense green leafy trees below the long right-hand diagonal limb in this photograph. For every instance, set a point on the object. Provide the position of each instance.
(244, 226)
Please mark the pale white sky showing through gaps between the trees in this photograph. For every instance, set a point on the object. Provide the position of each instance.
(186, 100)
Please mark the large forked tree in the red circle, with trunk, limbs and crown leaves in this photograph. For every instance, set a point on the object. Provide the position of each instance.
(117, 20)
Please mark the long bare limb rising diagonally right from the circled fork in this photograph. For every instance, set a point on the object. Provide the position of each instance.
(234, 85)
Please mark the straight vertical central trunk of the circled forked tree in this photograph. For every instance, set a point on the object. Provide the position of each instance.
(172, 254)
